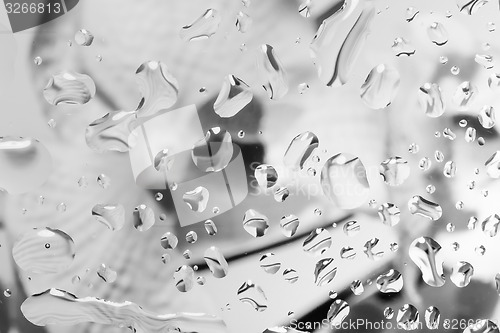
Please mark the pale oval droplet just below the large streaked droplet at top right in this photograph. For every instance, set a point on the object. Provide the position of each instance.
(380, 86)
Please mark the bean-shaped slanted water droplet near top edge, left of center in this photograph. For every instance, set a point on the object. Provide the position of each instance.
(202, 28)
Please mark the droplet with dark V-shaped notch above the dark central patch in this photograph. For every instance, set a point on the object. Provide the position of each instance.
(233, 96)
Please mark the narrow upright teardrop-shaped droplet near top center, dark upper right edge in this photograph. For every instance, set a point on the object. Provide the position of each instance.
(273, 73)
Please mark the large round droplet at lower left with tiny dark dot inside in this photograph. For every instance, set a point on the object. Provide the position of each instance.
(32, 254)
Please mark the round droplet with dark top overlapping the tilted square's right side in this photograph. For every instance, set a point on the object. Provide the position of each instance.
(214, 152)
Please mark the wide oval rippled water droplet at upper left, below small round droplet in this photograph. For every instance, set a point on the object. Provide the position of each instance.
(69, 88)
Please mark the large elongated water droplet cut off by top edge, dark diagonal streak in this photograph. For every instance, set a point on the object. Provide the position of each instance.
(339, 41)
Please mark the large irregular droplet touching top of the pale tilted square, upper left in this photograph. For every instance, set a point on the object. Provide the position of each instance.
(159, 88)
